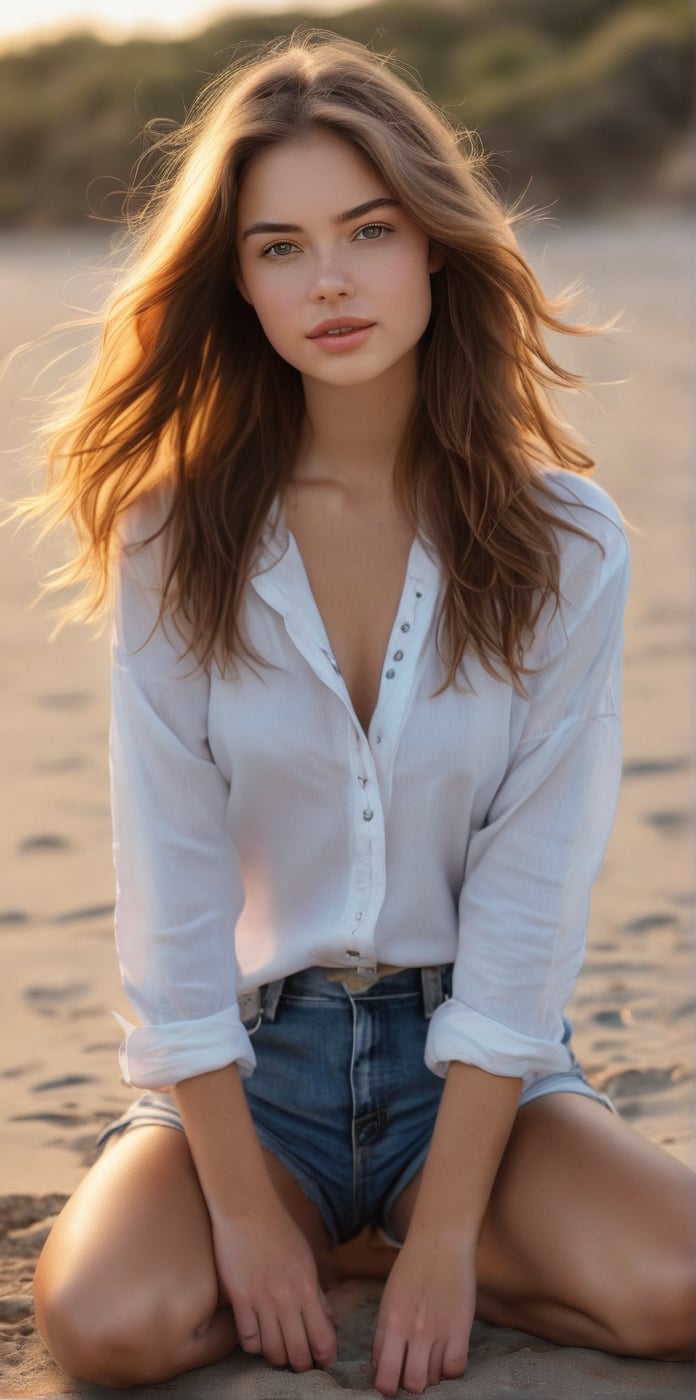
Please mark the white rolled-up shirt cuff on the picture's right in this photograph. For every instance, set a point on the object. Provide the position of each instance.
(457, 1032)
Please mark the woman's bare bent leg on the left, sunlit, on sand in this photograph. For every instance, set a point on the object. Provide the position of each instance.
(127, 1287)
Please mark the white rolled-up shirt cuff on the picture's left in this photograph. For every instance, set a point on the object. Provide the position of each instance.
(156, 1058)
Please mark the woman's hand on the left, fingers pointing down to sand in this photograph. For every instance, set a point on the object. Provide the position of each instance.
(270, 1275)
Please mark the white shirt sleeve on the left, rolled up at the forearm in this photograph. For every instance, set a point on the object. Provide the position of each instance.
(179, 883)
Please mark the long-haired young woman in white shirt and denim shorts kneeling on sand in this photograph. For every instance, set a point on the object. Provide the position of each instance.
(365, 761)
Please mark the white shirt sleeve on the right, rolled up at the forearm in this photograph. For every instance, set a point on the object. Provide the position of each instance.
(530, 870)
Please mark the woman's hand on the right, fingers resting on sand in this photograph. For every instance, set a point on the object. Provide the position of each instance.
(426, 1314)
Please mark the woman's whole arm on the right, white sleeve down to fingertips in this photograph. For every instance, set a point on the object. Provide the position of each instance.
(523, 918)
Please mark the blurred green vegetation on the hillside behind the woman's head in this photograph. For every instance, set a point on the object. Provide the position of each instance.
(579, 101)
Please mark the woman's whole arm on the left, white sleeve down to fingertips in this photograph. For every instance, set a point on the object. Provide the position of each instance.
(179, 897)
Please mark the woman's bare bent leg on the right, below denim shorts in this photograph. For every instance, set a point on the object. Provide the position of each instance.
(590, 1237)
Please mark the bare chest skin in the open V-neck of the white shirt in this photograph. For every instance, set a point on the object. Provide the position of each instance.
(356, 569)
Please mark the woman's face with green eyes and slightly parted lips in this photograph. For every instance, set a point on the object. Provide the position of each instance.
(338, 274)
